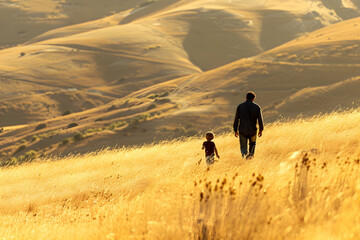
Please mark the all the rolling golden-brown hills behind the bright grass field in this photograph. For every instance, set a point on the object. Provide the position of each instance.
(78, 76)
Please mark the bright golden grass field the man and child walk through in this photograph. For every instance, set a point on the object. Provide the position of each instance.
(302, 184)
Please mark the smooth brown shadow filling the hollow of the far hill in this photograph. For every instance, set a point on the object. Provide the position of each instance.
(216, 38)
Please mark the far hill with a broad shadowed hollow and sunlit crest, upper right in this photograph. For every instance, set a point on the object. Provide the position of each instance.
(215, 33)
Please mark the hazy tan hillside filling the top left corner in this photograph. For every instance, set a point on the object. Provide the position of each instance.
(21, 20)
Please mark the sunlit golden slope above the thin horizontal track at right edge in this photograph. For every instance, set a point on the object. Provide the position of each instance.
(338, 43)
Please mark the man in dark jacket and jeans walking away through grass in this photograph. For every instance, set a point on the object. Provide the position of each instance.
(248, 114)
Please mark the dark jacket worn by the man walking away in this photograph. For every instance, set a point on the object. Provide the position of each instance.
(247, 114)
